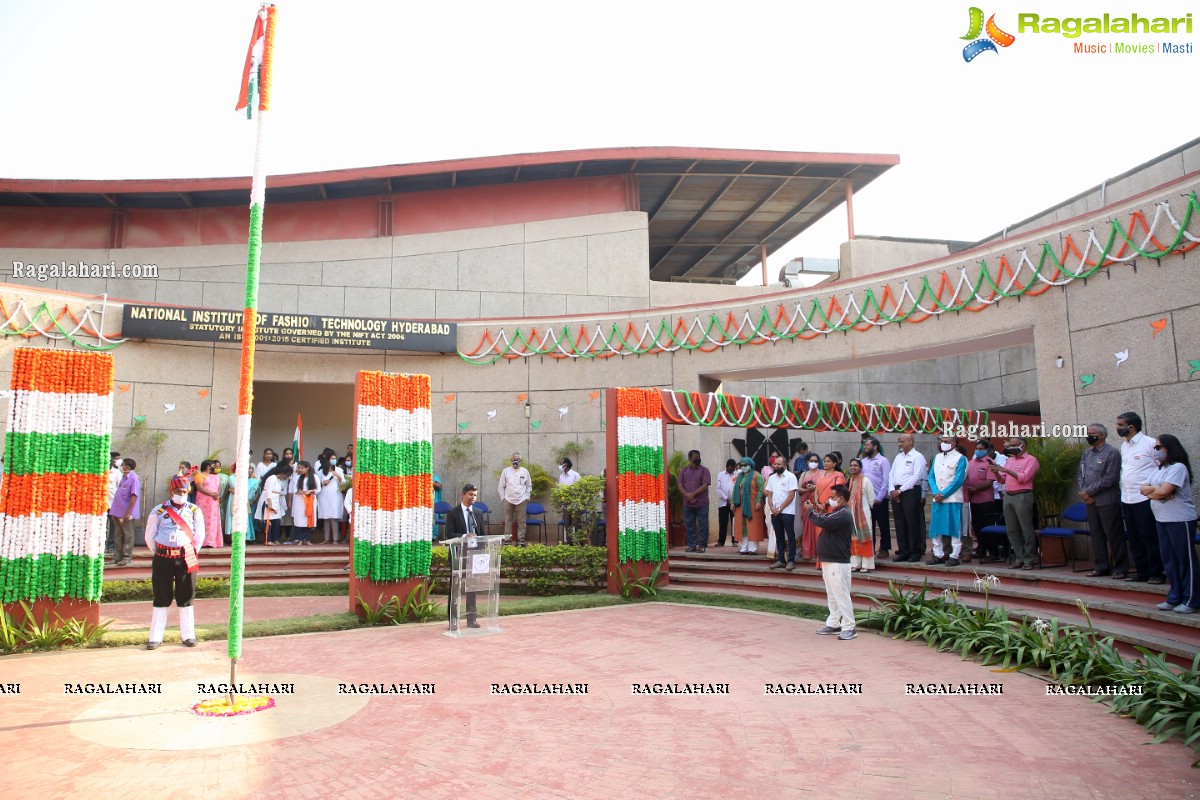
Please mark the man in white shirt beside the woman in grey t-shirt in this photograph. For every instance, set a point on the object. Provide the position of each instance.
(1137, 466)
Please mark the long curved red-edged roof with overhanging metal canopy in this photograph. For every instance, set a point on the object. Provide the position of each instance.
(710, 210)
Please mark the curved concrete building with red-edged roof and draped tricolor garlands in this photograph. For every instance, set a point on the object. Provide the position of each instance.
(569, 274)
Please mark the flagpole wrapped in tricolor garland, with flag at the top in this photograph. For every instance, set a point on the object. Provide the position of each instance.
(263, 38)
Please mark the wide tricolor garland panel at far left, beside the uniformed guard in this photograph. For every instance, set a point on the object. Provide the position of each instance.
(55, 501)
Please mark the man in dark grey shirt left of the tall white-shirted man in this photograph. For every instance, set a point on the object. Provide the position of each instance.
(1100, 488)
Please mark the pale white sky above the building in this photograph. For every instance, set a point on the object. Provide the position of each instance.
(131, 89)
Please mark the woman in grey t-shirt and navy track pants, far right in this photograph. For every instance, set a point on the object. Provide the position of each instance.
(1169, 491)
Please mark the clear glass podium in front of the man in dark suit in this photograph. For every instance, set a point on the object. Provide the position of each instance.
(475, 603)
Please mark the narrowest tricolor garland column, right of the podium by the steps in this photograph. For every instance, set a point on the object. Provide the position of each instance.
(641, 486)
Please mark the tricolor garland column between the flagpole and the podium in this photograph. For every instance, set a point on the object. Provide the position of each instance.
(393, 478)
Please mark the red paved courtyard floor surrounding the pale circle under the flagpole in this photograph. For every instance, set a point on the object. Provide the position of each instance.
(466, 743)
